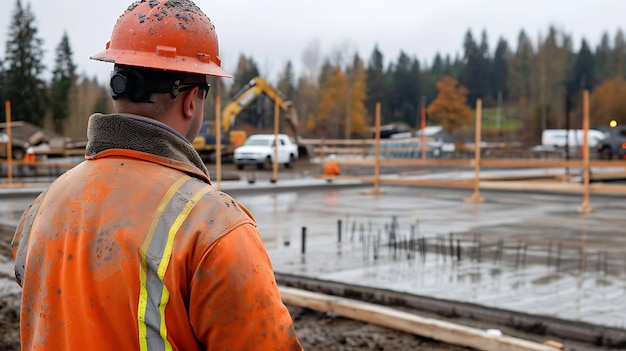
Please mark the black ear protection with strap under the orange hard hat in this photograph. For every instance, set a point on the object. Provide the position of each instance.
(139, 86)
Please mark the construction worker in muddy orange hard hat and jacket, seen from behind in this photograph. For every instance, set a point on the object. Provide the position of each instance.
(133, 249)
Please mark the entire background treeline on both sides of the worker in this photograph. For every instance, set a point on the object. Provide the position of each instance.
(526, 87)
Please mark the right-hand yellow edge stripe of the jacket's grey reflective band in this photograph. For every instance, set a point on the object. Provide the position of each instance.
(167, 254)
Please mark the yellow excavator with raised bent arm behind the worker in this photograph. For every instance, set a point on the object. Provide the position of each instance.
(205, 142)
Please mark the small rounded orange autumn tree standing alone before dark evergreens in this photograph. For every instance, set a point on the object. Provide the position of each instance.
(450, 108)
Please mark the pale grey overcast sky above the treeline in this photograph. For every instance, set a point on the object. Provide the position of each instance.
(275, 31)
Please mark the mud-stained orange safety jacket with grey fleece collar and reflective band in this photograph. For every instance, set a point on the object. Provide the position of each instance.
(134, 250)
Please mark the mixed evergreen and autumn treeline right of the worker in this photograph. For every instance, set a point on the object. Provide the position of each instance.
(524, 89)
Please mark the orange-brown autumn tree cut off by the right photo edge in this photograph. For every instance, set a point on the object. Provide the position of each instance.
(607, 102)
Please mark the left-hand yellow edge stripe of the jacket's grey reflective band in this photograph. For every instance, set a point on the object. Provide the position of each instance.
(143, 266)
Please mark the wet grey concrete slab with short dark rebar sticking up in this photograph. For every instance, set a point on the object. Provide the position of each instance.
(522, 251)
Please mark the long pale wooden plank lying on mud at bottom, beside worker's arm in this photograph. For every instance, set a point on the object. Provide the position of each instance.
(410, 323)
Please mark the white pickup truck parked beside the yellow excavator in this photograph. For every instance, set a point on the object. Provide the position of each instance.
(259, 150)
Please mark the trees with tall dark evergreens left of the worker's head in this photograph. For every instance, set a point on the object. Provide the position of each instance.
(61, 105)
